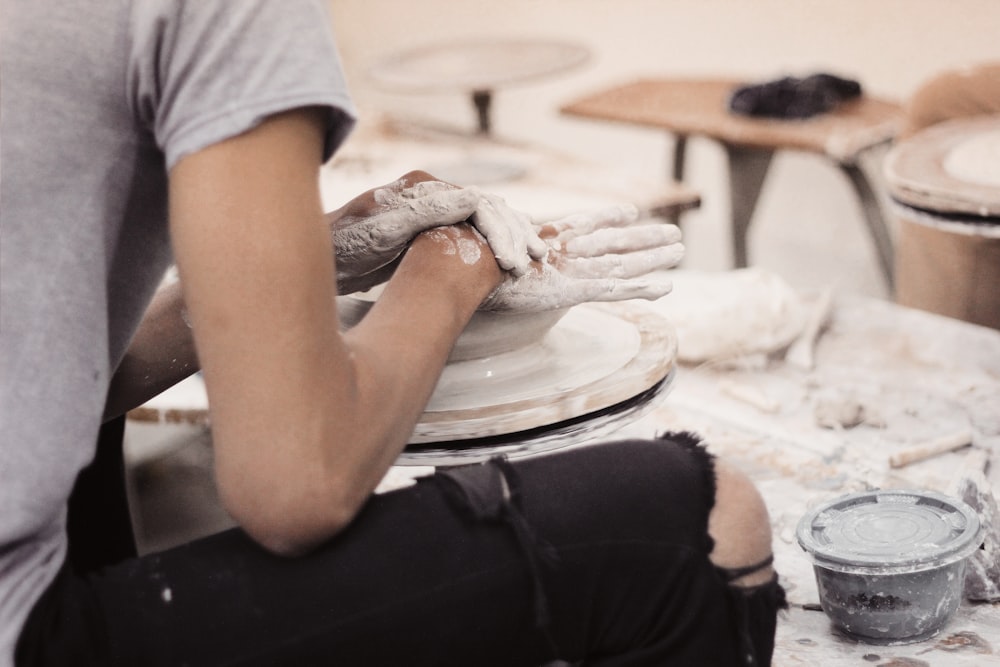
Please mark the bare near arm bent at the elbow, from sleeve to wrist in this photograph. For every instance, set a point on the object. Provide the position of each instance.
(305, 420)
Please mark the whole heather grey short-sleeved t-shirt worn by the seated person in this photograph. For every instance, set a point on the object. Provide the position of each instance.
(100, 98)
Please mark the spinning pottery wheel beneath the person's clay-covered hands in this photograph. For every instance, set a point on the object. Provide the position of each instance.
(599, 366)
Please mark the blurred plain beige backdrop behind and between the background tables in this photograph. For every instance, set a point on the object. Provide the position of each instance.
(889, 45)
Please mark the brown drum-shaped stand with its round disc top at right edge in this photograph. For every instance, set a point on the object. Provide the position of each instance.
(945, 187)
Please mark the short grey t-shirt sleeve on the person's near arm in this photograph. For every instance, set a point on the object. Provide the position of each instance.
(202, 71)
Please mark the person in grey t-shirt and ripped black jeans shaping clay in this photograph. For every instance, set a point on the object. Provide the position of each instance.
(144, 131)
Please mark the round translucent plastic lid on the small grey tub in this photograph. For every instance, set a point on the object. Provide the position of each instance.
(889, 531)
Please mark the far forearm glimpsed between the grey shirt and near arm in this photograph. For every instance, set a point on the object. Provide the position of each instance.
(162, 354)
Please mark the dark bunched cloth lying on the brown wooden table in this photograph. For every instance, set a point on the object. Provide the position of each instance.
(792, 97)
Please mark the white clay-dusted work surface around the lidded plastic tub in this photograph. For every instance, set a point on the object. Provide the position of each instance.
(886, 379)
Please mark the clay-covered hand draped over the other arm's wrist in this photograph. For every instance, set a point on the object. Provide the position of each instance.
(371, 232)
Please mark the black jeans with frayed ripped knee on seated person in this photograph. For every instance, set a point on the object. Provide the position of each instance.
(597, 556)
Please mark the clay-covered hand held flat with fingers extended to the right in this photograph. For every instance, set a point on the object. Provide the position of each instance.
(598, 256)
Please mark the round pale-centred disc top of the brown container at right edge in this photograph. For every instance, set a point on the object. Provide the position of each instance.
(949, 168)
